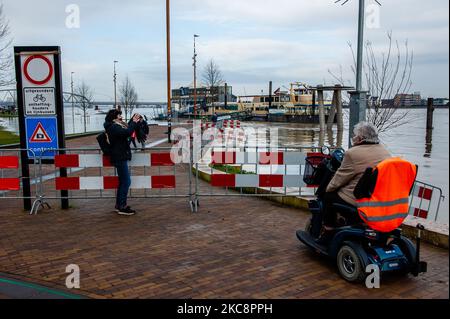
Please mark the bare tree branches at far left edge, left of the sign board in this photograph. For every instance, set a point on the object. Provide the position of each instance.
(5, 57)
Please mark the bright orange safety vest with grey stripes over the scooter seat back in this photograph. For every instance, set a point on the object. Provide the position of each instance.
(388, 206)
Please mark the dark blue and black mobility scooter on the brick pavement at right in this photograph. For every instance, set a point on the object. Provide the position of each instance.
(353, 244)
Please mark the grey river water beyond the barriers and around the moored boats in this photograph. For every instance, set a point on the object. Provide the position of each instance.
(408, 141)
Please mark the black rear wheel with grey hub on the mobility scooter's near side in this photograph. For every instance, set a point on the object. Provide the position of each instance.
(350, 265)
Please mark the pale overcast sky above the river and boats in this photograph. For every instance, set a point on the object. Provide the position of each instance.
(253, 41)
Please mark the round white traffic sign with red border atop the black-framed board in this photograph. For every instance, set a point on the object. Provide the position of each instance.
(38, 69)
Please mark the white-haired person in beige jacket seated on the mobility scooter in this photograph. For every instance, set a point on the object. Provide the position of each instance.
(366, 152)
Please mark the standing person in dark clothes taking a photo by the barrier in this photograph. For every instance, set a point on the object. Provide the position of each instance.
(119, 134)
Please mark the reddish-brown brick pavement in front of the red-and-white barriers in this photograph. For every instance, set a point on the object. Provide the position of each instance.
(233, 248)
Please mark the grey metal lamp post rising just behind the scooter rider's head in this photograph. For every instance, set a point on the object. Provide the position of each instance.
(358, 98)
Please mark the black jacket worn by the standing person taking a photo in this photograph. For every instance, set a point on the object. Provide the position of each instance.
(119, 139)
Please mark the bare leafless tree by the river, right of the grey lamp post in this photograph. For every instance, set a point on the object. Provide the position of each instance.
(387, 74)
